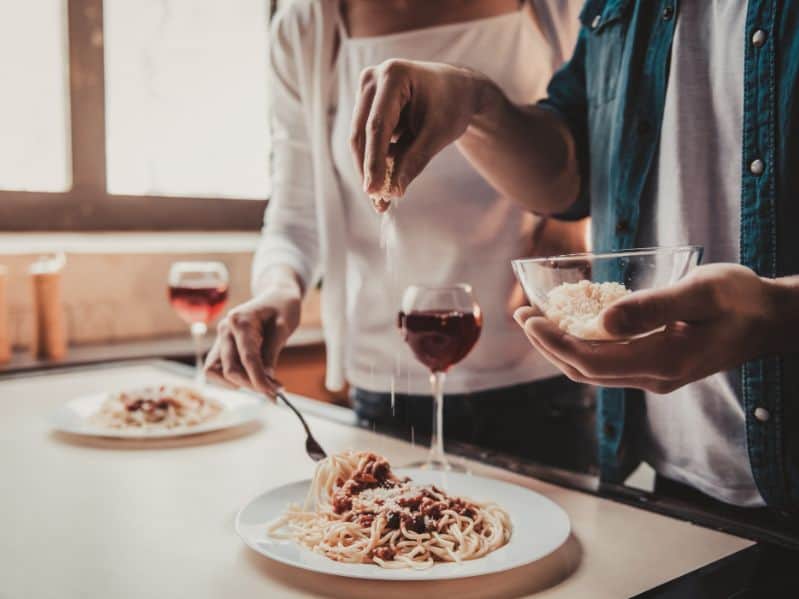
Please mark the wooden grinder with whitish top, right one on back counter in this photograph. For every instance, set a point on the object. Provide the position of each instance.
(50, 331)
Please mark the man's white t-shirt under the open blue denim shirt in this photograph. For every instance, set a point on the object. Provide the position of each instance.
(696, 434)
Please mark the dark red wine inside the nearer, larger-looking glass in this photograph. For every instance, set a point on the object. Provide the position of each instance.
(440, 338)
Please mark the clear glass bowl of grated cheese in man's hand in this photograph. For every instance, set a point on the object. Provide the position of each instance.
(554, 283)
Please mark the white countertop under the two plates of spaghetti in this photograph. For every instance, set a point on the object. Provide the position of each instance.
(96, 518)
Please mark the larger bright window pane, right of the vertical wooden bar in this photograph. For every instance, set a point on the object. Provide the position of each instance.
(185, 97)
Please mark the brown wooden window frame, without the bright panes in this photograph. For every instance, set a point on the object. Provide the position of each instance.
(87, 205)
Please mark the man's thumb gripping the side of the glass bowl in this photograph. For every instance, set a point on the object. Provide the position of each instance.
(690, 300)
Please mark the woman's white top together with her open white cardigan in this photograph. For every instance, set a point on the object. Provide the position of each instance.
(319, 220)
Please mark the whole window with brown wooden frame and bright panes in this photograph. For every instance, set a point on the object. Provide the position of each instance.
(120, 115)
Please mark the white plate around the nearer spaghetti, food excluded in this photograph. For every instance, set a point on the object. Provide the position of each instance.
(539, 527)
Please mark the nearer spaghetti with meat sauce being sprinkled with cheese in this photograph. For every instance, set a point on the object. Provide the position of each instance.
(358, 511)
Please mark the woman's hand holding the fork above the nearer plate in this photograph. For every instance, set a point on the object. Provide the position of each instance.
(252, 335)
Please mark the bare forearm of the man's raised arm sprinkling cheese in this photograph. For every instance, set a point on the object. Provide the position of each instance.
(527, 153)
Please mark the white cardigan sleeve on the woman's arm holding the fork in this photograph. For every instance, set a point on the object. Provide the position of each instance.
(290, 233)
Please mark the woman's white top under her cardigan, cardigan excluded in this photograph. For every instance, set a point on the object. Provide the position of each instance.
(451, 226)
